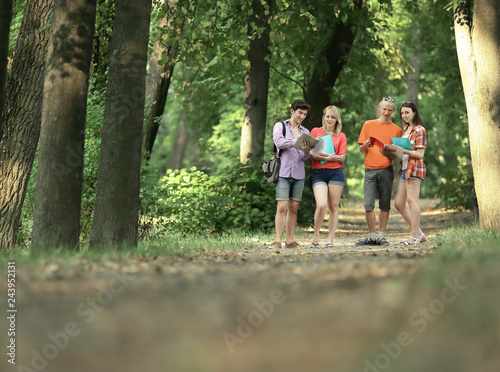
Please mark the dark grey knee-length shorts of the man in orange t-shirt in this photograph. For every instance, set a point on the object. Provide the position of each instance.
(378, 182)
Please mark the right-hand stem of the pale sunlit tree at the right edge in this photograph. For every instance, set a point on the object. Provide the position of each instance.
(484, 134)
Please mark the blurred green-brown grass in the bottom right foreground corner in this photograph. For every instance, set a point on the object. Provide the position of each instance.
(450, 320)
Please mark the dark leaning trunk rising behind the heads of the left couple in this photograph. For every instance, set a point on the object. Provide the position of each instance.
(319, 85)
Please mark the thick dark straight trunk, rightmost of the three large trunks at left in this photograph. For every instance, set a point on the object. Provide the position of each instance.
(117, 198)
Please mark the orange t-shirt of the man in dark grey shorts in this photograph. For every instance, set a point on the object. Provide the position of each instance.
(373, 158)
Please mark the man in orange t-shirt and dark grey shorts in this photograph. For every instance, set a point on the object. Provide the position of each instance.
(379, 174)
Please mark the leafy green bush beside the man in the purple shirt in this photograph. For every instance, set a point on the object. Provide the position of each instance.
(233, 198)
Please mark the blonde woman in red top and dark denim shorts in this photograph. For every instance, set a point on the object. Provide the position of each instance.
(328, 177)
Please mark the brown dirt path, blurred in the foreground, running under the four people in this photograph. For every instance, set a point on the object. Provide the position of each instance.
(249, 310)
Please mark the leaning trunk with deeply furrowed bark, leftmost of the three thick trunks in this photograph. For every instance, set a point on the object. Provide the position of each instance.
(22, 116)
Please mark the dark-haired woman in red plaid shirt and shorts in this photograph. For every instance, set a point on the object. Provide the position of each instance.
(412, 171)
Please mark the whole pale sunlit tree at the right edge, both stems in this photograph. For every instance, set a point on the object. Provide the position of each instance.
(477, 33)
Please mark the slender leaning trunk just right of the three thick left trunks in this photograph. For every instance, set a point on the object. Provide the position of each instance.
(159, 78)
